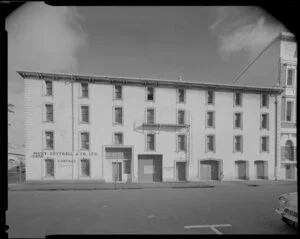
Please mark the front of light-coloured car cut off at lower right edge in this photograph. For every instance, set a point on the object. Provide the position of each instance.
(288, 208)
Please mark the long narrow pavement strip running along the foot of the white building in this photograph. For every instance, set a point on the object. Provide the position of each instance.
(64, 185)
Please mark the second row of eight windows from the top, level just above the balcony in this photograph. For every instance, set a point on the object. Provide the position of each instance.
(150, 117)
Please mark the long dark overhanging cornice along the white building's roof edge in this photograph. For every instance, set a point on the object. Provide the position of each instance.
(97, 79)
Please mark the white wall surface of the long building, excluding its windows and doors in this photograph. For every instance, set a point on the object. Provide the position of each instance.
(101, 128)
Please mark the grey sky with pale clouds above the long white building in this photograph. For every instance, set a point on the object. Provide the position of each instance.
(206, 44)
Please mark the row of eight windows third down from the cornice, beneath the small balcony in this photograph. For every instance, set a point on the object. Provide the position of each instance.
(181, 142)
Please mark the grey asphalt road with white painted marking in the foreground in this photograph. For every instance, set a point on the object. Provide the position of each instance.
(247, 210)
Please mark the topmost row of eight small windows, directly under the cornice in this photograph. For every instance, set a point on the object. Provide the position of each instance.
(118, 94)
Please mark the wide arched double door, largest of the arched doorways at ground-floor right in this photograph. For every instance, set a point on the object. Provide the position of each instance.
(209, 170)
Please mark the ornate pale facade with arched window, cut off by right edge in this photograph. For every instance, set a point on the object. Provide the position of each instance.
(287, 167)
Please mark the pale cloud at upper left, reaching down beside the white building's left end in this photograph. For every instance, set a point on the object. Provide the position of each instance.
(40, 38)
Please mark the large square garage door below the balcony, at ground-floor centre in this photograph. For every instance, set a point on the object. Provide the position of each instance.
(150, 168)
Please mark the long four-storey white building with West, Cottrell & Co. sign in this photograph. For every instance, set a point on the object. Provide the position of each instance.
(80, 127)
